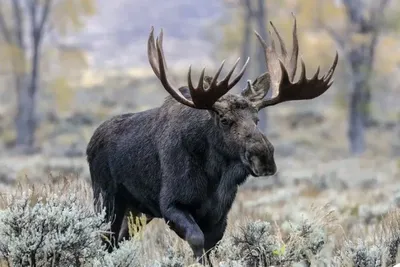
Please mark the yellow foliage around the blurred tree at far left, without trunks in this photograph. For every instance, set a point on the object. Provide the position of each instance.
(57, 66)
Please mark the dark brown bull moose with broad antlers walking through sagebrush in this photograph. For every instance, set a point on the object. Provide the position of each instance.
(184, 160)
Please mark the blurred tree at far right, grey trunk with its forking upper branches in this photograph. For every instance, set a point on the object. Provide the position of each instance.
(358, 41)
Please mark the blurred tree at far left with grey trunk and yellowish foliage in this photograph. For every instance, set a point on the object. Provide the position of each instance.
(24, 24)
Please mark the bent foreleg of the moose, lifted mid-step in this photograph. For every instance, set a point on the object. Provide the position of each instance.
(185, 227)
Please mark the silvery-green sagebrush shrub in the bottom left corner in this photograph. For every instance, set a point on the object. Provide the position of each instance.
(55, 231)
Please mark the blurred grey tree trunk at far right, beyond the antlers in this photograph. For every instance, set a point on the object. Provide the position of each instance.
(361, 59)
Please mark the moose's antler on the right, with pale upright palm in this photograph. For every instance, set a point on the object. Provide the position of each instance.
(281, 73)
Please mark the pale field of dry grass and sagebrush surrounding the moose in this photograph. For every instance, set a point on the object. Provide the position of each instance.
(323, 207)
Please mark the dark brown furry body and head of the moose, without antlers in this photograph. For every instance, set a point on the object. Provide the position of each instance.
(180, 164)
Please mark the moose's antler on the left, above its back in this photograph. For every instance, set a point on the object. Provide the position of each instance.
(201, 97)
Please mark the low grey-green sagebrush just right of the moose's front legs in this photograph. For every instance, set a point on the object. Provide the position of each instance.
(259, 244)
